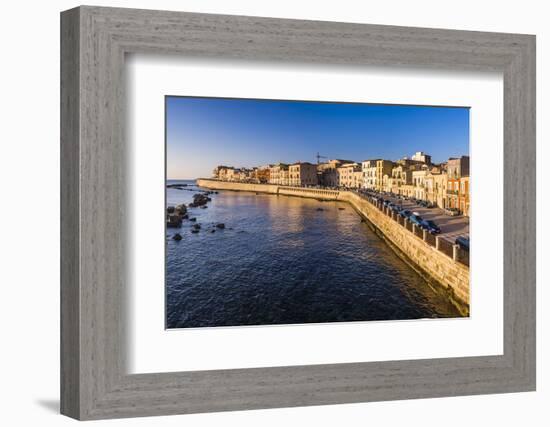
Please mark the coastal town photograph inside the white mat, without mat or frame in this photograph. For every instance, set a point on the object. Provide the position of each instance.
(283, 245)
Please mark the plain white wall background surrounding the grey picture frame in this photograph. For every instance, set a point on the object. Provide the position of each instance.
(29, 230)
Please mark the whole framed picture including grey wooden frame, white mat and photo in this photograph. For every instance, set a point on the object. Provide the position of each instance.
(261, 213)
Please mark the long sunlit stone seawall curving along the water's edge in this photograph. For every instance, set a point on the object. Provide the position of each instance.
(434, 265)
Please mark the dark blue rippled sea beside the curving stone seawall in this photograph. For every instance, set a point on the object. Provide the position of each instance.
(280, 260)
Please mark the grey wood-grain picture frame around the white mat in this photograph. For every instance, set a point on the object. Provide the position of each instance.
(94, 381)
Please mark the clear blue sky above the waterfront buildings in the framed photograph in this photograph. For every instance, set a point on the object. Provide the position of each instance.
(202, 133)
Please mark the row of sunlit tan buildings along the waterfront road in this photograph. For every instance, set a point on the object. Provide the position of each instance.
(446, 185)
